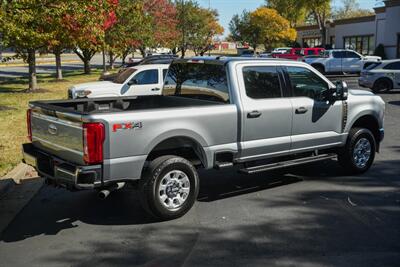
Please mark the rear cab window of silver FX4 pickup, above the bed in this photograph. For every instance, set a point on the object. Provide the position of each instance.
(197, 80)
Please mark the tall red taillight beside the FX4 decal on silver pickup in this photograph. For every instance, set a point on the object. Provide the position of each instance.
(93, 138)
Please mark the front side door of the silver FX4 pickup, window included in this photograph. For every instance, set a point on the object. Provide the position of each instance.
(316, 122)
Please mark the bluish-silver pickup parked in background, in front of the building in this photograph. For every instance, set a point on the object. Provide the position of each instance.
(340, 60)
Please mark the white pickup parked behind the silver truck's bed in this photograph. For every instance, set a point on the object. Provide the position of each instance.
(133, 81)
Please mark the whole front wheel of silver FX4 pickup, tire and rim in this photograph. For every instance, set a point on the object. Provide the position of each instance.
(359, 151)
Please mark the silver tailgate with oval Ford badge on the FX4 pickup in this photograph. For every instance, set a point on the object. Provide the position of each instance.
(57, 136)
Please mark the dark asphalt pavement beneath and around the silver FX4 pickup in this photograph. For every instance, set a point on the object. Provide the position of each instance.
(309, 216)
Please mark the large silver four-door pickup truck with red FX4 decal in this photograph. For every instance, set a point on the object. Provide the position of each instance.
(256, 114)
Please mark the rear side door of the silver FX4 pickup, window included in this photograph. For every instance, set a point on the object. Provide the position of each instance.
(266, 115)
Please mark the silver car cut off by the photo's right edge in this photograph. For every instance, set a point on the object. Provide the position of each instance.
(381, 76)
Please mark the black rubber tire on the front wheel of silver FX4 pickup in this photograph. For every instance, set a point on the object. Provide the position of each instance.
(347, 158)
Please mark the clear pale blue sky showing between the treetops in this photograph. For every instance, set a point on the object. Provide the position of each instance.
(228, 8)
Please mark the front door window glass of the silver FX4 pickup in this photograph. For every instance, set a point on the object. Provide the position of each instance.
(306, 83)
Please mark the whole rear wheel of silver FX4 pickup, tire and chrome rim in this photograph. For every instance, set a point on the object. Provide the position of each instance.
(169, 187)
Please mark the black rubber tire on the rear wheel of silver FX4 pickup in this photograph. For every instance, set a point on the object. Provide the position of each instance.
(149, 187)
